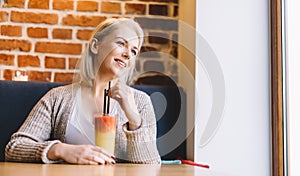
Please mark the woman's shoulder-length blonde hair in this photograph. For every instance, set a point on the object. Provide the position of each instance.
(87, 69)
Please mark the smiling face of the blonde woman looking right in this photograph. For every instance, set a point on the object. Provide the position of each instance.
(116, 52)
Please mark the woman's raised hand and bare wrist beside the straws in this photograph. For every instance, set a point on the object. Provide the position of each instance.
(124, 95)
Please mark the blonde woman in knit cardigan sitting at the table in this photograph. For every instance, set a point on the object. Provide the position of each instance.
(60, 127)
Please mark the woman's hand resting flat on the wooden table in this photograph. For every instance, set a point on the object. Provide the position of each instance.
(80, 154)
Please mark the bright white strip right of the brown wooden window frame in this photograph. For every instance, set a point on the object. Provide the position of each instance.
(293, 61)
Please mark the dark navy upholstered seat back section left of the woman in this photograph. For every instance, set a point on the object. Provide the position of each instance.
(16, 101)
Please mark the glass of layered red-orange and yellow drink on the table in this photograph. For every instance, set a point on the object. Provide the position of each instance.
(105, 132)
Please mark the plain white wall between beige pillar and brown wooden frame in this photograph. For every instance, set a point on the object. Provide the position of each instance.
(237, 32)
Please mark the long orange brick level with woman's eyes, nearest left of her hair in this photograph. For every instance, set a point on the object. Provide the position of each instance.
(59, 48)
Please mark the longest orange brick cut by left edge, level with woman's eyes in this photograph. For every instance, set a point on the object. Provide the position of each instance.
(20, 45)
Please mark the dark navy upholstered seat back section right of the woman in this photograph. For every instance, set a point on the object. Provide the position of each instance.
(169, 103)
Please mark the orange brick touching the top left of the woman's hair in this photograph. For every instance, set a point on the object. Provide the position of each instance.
(72, 20)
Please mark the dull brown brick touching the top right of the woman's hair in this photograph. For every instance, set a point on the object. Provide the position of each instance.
(158, 24)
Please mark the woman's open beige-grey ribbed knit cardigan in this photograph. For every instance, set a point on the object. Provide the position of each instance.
(46, 125)
